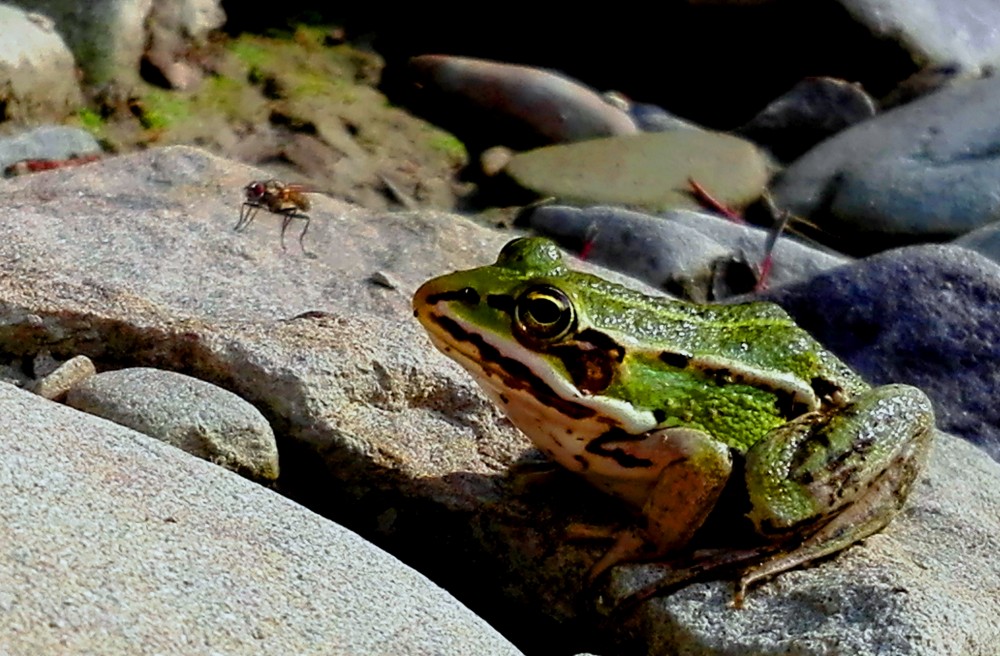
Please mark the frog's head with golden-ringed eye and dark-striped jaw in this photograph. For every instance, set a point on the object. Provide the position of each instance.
(522, 328)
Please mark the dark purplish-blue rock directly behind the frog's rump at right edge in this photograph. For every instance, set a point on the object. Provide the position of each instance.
(921, 315)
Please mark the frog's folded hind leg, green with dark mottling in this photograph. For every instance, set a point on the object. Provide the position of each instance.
(836, 477)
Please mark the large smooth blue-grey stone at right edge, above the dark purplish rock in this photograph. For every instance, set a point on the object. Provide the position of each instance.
(925, 169)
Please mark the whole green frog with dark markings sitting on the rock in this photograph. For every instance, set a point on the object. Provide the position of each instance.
(653, 399)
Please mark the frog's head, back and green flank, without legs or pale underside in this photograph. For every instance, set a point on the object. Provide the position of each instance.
(733, 371)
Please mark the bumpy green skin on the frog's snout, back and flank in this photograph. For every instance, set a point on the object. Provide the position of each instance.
(707, 345)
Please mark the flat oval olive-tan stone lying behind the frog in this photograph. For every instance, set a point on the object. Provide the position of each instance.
(650, 171)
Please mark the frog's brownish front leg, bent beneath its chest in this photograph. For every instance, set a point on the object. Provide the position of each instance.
(693, 470)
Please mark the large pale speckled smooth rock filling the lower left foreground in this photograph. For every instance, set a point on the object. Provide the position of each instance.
(116, 544)
